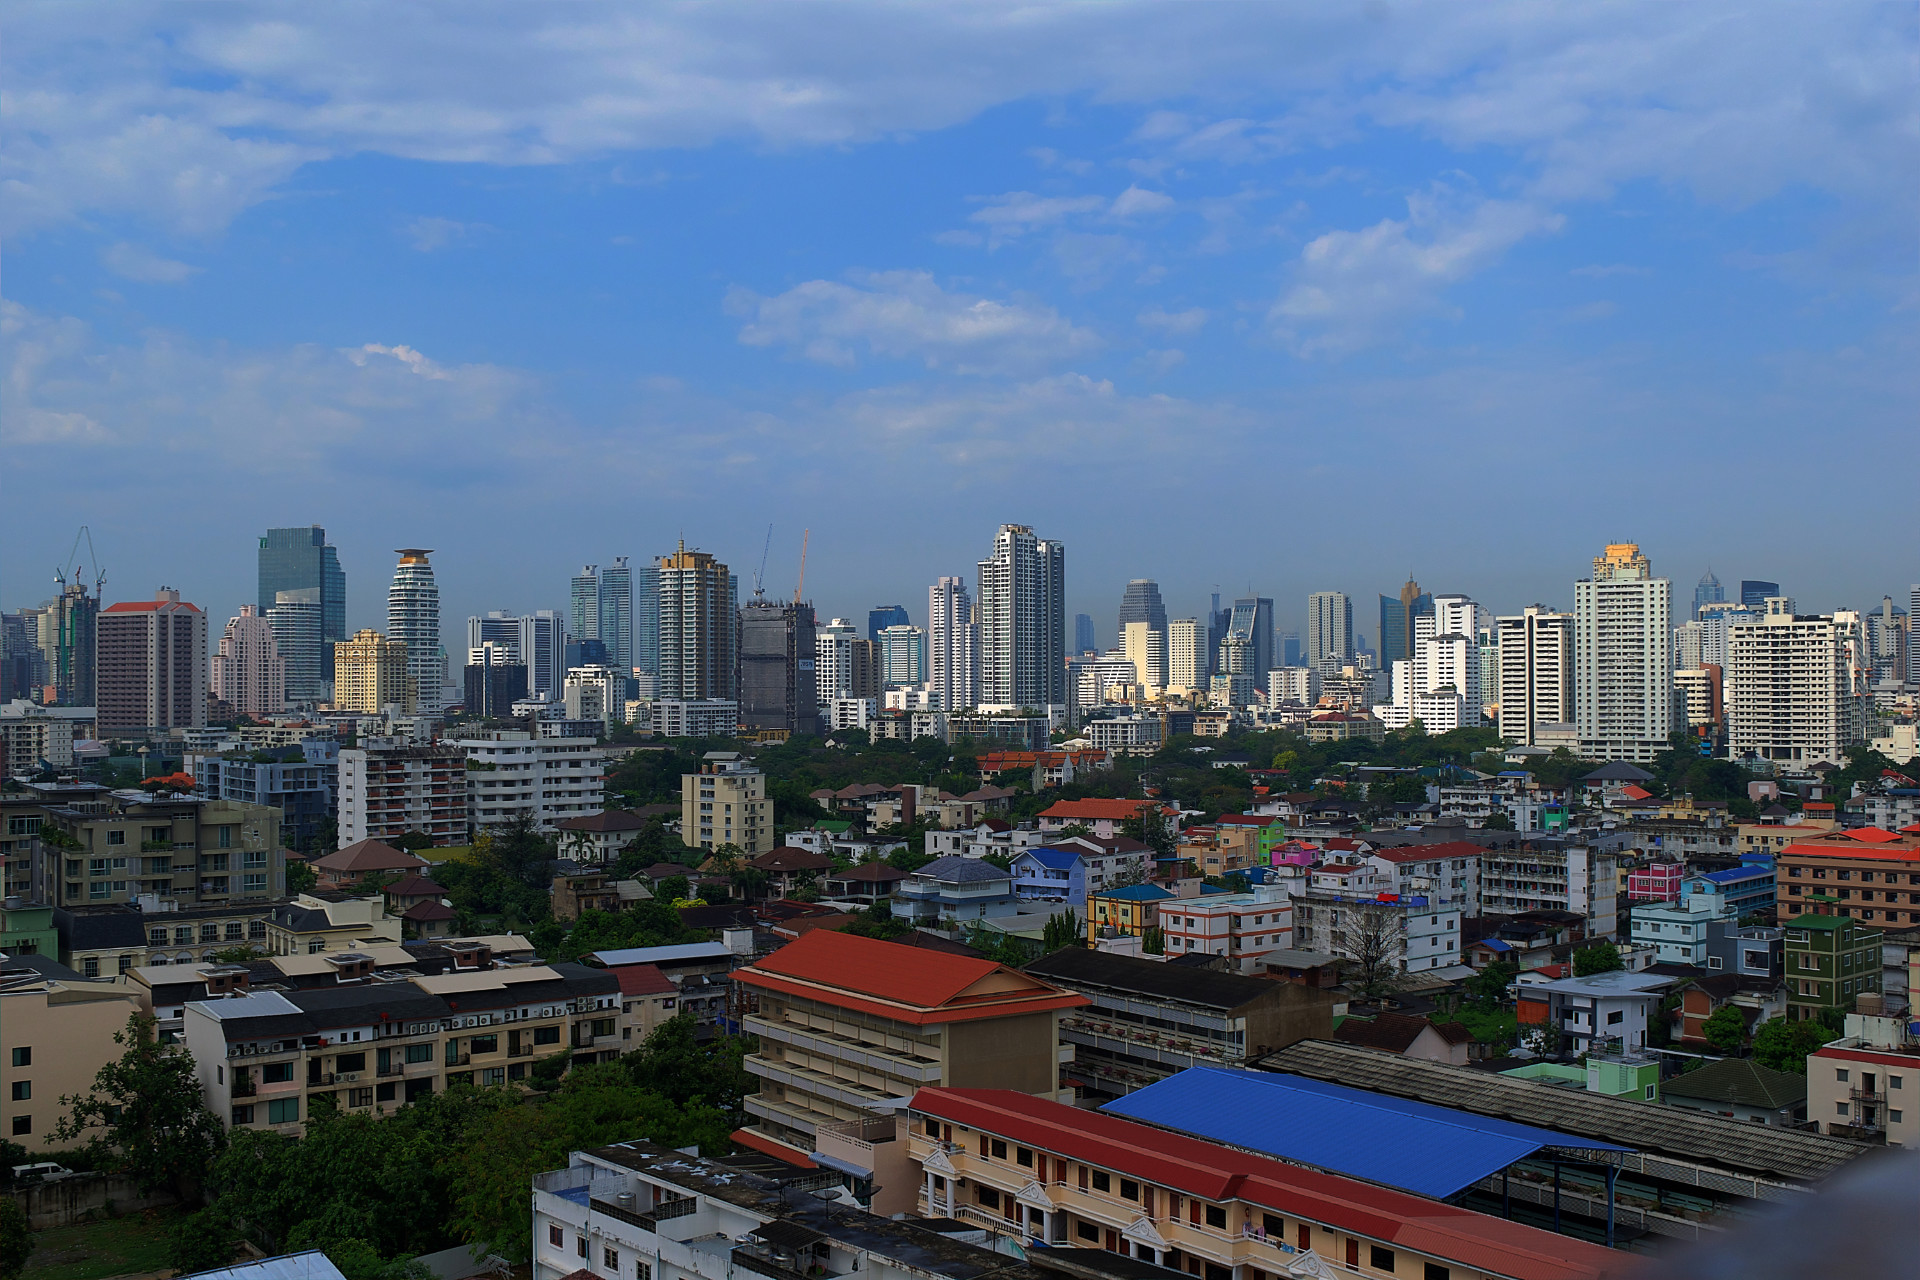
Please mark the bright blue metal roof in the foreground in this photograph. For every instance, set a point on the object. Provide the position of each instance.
(1391, 1141)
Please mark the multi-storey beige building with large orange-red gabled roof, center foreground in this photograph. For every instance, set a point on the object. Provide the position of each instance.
(848, 1024)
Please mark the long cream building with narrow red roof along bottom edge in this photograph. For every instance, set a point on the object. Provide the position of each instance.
(1053, 1175)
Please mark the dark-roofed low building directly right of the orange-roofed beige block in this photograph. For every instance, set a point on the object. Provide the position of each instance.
(1151, 1020)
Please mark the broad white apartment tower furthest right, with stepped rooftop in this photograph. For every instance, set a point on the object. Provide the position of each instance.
(1796, 688)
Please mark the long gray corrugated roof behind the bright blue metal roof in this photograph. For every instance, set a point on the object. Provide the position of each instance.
(1740, 1147)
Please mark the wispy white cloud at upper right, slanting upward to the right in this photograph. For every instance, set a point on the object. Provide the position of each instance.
(1353, 289)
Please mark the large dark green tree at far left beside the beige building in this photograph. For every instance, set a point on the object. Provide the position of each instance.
(145, 1114)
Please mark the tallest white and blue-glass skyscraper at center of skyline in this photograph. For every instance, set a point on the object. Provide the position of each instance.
(1022, 623)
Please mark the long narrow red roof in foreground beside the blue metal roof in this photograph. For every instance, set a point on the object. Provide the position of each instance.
(1218, 1173)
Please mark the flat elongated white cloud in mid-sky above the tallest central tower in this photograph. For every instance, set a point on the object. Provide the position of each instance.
(909, 316)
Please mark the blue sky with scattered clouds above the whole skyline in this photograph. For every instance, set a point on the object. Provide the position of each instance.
(1264, 298)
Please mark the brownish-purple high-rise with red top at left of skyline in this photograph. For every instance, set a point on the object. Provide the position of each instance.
(153, 665)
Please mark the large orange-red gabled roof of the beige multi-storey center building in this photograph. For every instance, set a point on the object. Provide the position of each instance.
(905, 984)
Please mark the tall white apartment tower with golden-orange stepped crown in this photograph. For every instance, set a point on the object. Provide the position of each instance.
(1623, 673)
